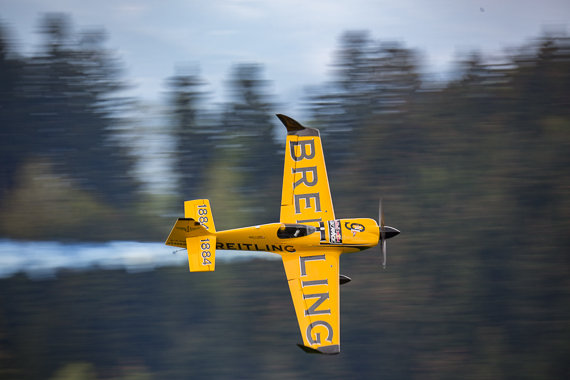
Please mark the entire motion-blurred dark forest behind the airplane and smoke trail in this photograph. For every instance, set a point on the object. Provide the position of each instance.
(473, 171)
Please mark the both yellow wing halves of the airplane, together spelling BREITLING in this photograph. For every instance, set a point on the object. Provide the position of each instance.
(313, 276)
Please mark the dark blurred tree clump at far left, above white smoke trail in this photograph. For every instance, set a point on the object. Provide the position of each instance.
(63, 170)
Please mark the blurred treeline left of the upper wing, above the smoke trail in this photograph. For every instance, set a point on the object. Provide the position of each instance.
(70, 144)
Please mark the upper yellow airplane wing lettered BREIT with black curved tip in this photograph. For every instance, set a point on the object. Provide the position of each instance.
(306, 195)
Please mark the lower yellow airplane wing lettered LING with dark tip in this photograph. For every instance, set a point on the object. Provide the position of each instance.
(314, 284)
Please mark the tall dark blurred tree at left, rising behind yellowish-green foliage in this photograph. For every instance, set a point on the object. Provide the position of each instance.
(70, 86)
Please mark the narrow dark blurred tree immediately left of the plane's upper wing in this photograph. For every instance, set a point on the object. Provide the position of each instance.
(248, 142)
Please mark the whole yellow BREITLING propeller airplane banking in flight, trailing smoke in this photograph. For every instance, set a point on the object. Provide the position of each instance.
(308, 237)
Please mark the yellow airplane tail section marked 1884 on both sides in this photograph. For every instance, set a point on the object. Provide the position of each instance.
(196, 233)
